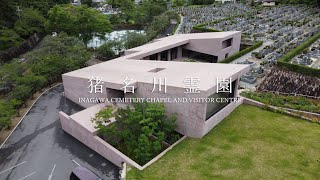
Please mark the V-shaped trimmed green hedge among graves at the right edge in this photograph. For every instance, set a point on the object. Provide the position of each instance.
(284, 61)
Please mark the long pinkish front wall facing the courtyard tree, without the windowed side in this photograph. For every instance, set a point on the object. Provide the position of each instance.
(190, 116)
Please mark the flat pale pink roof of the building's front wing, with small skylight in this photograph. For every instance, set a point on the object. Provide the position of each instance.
(115, 71)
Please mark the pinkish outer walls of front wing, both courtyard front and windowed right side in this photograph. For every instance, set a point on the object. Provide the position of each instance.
(191, 116)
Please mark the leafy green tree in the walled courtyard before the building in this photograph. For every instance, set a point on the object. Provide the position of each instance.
(138, 131)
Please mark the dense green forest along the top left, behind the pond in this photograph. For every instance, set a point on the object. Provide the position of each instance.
(19, 19)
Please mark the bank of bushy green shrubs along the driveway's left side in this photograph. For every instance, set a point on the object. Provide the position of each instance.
(56, 55)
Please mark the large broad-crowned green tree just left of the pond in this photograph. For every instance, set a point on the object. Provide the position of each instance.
(79, 21)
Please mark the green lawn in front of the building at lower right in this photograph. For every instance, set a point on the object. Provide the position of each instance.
(251, 143)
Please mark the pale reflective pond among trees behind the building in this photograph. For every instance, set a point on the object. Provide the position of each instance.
(118, 34)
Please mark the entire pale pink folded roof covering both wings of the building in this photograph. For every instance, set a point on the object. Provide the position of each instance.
(115, 71)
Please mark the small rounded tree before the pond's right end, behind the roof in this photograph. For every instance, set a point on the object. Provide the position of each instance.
(134, 39)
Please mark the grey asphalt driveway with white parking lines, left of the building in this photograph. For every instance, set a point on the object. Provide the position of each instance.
(39, 149)
